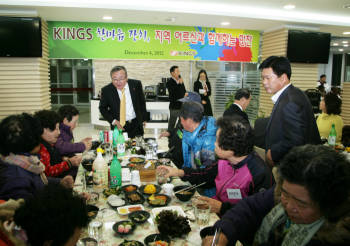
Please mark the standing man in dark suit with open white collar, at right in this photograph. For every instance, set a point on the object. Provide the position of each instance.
(292, 121)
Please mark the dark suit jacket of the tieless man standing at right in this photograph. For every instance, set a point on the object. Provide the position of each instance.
(292, 123)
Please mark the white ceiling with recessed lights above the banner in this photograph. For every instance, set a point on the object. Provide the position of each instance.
(264, 15)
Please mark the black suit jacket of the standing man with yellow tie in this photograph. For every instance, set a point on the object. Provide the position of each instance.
(109, 103)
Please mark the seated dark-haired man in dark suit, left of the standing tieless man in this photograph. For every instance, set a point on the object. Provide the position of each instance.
(242, 100)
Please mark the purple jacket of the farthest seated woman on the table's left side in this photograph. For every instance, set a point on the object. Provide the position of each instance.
(65, 144)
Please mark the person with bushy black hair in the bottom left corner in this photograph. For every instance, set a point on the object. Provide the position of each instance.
(53, 217)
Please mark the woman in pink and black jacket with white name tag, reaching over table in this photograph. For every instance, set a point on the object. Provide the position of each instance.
(239, 173)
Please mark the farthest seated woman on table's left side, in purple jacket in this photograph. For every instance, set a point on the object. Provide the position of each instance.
(69, 116)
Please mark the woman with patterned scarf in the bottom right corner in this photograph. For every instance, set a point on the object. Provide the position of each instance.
(310, 205)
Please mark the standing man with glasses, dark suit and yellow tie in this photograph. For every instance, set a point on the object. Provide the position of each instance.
(112, 102)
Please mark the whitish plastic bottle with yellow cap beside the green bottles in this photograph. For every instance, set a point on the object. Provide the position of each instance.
(100, 171)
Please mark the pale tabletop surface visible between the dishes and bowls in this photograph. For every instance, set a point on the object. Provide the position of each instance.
(108, 215)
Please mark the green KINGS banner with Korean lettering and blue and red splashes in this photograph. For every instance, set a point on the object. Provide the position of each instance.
(141, 41)
